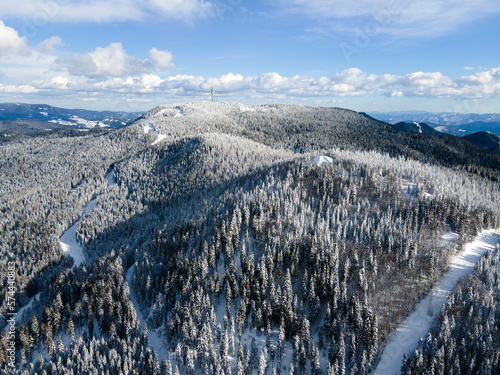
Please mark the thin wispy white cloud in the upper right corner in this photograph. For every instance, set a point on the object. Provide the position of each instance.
(400, 18)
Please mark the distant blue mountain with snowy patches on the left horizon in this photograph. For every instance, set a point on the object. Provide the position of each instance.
(79, 118)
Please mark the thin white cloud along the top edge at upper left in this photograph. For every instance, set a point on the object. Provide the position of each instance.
(44, 11)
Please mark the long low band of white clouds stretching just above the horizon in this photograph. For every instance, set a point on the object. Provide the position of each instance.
(349, 83)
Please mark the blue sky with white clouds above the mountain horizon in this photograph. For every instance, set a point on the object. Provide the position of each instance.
(366, 55)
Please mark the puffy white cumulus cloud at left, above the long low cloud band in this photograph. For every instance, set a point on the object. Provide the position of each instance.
(113, 61)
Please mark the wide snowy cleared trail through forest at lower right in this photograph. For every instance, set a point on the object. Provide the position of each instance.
(405, 338)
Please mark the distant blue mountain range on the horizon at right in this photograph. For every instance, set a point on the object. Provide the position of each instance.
(459, 124)
